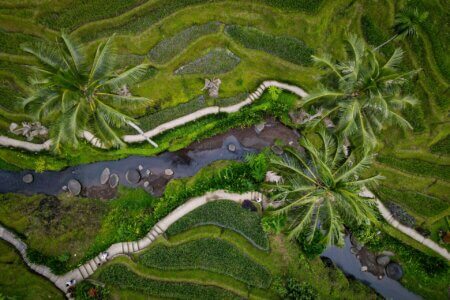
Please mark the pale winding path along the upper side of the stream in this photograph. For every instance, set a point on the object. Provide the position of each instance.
(9, 142)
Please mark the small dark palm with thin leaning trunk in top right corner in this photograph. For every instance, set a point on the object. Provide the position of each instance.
(406, 24)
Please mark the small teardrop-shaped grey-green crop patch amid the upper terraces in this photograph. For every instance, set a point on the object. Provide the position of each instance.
(216, 61)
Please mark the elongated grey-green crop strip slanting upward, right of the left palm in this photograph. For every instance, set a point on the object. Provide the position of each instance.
(167, 49)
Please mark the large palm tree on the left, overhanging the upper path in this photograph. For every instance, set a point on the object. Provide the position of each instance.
(77, 96)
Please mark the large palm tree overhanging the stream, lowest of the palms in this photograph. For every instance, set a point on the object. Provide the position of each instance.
(321, 189)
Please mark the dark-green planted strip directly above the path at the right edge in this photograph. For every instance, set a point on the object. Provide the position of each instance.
(421, 204)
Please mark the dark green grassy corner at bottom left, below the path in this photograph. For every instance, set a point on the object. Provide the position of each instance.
(18, 282)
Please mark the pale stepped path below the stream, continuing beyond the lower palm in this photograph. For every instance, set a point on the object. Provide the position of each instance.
(124, 248)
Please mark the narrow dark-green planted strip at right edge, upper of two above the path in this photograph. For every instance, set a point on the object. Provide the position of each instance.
(416, 166)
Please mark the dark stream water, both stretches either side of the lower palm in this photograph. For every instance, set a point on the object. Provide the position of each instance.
(186, 163)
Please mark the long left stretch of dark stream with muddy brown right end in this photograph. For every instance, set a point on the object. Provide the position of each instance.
(183, 163)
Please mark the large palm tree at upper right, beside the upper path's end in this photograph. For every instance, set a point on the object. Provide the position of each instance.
(368, 93)
